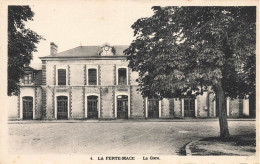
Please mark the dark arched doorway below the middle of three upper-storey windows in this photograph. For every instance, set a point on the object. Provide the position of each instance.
(92, 106)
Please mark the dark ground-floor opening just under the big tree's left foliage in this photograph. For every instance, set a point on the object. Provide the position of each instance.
(153, 108)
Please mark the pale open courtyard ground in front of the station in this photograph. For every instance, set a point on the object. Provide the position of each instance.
(159, 137)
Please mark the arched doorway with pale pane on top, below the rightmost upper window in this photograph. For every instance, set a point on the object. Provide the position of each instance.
(122, 107)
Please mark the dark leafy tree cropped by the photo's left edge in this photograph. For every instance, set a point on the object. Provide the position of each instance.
(21, 45)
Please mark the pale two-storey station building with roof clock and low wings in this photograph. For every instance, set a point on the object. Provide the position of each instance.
(95, 82)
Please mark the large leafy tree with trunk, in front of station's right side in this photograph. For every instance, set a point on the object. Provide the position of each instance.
(182, 50)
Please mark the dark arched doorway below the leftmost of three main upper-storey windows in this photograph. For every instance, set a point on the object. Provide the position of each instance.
(62, 107)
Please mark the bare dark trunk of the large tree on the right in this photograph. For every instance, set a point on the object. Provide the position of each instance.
(224, 132)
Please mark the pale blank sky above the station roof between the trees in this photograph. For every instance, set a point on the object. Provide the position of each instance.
(73, 24)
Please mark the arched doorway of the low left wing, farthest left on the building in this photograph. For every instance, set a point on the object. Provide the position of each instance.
(27, 108)
